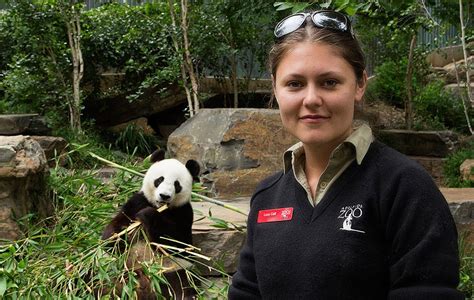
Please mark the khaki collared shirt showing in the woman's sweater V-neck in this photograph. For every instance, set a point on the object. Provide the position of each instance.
(353, 148)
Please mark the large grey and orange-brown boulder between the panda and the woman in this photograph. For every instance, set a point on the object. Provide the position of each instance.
(238, 147)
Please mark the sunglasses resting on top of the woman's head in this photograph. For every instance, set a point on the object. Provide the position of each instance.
(321, 19)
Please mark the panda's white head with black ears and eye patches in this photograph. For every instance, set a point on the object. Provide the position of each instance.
(169, 181)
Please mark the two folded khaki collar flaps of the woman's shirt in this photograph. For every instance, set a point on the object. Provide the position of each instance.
(360, 138)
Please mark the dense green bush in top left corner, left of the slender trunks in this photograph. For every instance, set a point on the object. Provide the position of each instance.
(36, 66)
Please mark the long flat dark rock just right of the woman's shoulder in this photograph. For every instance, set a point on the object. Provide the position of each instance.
(420, 143)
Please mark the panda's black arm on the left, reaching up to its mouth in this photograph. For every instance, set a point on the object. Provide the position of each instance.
(126, 215)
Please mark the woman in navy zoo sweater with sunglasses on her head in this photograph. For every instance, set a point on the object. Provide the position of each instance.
(348, 218)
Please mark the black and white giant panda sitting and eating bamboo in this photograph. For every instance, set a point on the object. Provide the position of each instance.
(169, 182)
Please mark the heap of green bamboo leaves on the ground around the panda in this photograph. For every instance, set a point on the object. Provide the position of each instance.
(64, 257)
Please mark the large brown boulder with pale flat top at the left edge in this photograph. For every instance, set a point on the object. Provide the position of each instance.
(23, 183)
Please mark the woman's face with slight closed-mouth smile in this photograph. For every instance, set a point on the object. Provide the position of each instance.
(316, 90)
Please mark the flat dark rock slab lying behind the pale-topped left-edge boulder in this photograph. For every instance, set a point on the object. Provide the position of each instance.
(27, 124)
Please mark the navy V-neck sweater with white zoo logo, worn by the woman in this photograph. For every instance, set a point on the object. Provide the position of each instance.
(382, 231)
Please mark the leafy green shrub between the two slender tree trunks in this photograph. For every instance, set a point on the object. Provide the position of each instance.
(133, 41)
